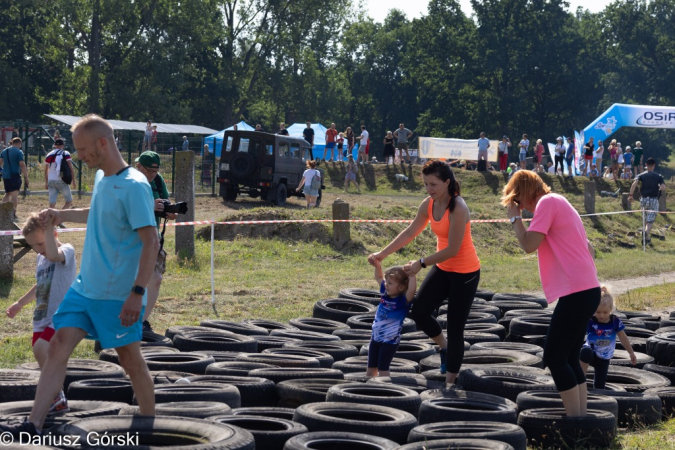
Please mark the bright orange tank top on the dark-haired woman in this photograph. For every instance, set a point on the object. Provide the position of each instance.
(466, 259)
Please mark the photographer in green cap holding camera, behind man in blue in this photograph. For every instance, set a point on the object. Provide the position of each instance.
(148, 164)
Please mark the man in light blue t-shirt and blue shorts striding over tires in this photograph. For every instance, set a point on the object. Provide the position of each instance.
(106, 300)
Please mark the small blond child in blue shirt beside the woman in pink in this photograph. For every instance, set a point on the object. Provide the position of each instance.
(603, 329)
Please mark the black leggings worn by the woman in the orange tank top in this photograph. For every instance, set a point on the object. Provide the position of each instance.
(459, 289)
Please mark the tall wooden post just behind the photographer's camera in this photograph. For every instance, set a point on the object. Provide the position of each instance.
(185, 192)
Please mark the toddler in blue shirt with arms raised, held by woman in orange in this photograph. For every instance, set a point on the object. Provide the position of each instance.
(398, 290)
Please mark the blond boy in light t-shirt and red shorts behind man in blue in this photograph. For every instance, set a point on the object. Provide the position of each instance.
(55, 272)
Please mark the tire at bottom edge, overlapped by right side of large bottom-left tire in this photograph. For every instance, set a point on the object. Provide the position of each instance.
(269, 432)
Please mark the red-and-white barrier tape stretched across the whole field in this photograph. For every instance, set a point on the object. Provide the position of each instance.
(267, 222)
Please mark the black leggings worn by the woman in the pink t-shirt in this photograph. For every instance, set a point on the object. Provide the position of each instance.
(566, 336)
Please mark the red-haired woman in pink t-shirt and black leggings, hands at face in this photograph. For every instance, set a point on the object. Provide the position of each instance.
(567, 274)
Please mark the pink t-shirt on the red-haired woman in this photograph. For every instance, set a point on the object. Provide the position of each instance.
(565, 264)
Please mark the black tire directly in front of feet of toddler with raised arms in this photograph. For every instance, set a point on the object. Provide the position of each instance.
(390, 395)
